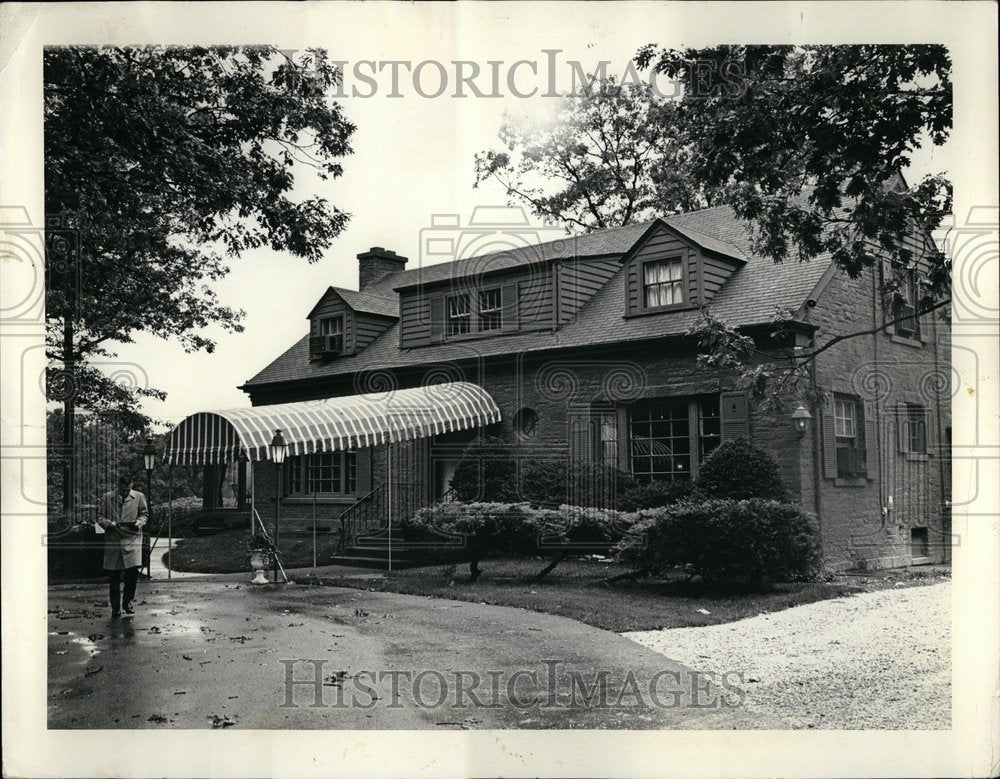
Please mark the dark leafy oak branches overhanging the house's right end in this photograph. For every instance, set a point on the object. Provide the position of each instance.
(809, 143)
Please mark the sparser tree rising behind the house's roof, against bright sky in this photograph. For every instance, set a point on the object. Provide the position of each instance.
(611, 150)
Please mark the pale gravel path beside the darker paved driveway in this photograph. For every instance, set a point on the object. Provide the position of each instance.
(879, 660)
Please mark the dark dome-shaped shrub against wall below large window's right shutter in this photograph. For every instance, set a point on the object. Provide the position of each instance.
(738, 470)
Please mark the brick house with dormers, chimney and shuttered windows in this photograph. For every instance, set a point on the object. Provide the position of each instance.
(582, 344)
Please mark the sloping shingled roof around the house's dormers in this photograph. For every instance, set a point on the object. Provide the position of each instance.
(752, 295)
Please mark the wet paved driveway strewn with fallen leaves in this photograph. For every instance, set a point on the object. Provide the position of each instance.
(200, 654)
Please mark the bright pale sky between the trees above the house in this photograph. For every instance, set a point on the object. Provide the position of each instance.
(412, 164)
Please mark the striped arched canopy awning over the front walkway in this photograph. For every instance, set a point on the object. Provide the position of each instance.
(349, 422)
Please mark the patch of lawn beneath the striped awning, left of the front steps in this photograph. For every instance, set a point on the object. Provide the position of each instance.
(225, 552)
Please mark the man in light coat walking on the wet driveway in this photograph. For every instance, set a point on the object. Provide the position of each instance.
(123, 513)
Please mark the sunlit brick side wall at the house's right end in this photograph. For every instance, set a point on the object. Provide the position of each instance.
(859, 529)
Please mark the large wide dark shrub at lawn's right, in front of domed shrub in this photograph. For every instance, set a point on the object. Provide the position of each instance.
(745, 542)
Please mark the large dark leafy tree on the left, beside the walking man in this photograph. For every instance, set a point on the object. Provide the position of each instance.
(160, 165)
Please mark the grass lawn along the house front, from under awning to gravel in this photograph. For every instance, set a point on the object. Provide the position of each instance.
(576, 589)
